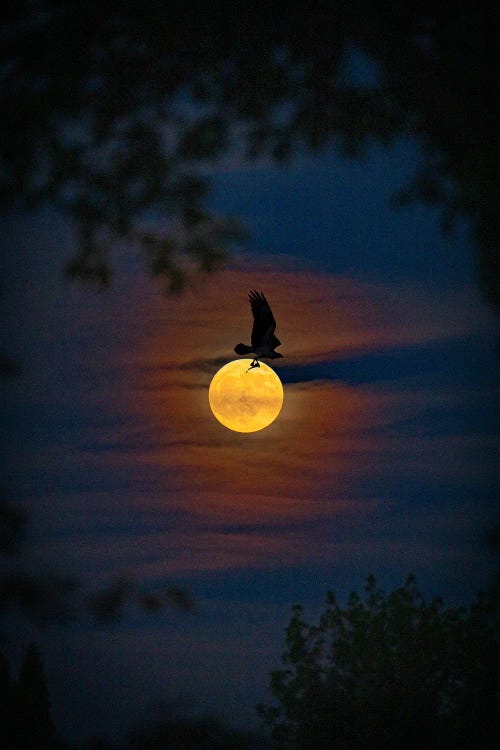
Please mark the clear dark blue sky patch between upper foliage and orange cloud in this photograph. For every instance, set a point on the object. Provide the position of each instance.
(335, 212)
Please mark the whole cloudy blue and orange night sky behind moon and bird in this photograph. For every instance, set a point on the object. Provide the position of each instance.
(382, 460)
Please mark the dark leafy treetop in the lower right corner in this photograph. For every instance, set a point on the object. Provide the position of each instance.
(388, 671)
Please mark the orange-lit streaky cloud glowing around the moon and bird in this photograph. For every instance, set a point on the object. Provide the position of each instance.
(302, 467)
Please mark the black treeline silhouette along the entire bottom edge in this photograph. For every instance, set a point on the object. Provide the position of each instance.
(385, 670)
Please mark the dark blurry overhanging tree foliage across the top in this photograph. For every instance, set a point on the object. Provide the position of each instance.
(111, 111)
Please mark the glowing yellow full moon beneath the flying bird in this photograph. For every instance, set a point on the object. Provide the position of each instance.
(245, 400)
